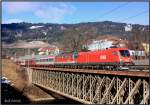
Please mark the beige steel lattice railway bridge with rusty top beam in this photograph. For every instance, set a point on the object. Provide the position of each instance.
(95, 86)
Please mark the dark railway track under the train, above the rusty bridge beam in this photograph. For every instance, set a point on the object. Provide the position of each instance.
(95, 67)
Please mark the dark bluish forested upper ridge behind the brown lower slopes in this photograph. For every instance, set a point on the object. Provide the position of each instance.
(55, 32)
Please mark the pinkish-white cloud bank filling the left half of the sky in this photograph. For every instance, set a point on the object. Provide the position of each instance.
(50, 11)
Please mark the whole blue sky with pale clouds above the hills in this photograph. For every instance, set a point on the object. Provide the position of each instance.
(75, 12)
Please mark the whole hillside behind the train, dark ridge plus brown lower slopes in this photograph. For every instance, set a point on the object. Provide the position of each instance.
(18, 37)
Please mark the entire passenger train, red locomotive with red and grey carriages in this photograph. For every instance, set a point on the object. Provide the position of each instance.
(110, 58)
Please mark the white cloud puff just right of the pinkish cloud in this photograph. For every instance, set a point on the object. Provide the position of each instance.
(56, 12)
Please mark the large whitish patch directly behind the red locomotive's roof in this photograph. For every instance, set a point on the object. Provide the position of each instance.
(101, 44)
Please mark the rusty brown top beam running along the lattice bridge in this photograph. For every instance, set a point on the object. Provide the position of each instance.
(131, 73)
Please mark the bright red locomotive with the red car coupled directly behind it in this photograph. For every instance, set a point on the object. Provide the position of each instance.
(111, 56)
